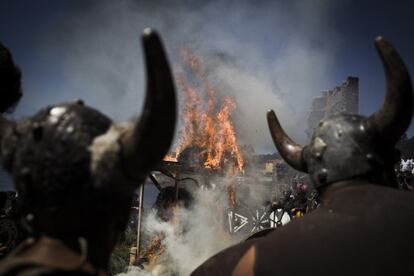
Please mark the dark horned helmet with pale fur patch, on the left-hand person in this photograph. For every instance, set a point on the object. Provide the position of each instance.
(70, 158)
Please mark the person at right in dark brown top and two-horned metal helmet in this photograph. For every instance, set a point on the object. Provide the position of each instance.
(364, 224)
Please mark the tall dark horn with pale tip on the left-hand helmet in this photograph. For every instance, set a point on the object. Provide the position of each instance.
(145, 145)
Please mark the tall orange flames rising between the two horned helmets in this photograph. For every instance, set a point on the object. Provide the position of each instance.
(206, 121)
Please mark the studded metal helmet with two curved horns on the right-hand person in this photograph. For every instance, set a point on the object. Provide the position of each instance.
(347, 146)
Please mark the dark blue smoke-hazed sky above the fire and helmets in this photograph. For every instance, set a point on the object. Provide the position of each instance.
(294, 49)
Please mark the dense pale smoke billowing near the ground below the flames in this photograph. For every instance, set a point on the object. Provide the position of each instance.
(204, 234)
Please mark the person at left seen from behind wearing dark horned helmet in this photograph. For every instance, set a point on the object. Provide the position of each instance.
(76, 171)
